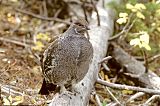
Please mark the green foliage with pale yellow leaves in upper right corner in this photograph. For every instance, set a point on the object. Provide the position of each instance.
(146, 23)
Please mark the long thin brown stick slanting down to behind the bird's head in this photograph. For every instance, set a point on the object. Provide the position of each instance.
(41, 17)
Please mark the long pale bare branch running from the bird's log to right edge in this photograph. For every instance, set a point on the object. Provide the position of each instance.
(118, 86)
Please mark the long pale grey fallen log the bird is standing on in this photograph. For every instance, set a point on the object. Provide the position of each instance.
(99, 38)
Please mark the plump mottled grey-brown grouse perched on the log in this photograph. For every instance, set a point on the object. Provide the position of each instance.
(66, 60)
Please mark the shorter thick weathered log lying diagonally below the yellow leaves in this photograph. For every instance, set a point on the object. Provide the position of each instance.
(136, 68)
